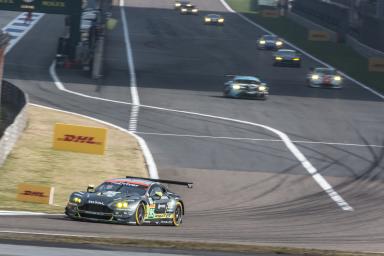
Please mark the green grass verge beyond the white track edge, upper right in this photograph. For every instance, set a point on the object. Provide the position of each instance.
(338, 55)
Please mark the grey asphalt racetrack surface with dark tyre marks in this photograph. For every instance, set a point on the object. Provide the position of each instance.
(246, 191)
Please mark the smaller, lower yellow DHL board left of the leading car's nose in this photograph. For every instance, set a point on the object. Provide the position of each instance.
(35, 193)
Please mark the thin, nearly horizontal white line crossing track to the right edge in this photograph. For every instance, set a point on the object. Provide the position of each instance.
(265, 140)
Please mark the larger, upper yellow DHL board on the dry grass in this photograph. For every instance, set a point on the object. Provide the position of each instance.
(77, 138)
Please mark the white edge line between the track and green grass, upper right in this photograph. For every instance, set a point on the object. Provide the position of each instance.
(301, 50)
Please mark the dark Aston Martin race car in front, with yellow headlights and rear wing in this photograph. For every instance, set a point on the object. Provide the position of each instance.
(129, 200)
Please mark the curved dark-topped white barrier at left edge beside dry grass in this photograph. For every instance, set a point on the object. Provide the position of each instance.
(16, 100)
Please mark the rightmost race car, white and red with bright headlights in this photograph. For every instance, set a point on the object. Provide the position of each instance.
(324, 77)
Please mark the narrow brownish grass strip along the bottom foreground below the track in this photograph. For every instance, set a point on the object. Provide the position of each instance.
(179, 245)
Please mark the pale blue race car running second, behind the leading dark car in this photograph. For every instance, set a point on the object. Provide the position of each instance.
(245, 87)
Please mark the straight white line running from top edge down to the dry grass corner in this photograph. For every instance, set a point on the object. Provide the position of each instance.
(133, 83)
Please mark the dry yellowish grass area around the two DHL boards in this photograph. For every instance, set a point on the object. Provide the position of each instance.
(34, 161)
